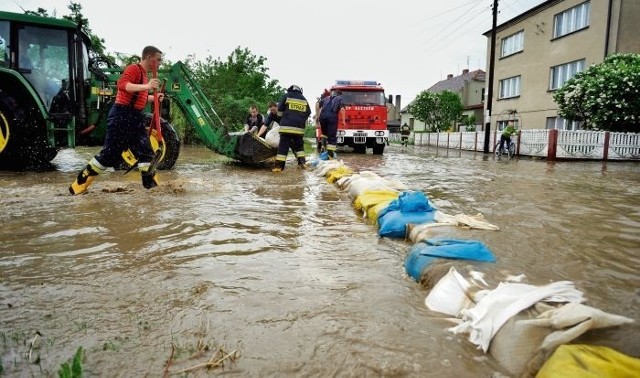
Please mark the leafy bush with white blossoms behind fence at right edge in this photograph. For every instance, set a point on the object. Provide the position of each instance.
(605, 96)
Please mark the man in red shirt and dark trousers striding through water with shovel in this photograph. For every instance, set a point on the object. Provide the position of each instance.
(125, 126)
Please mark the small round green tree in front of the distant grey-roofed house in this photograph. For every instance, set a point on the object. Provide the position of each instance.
(437, 110)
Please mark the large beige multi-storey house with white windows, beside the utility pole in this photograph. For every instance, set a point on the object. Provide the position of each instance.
(539, 50)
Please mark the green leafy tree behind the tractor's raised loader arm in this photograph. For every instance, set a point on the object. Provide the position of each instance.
(236, 83)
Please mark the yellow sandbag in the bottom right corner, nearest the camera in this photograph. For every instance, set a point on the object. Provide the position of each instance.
(577, 360)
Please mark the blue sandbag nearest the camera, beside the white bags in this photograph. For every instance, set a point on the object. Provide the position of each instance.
(425, 252)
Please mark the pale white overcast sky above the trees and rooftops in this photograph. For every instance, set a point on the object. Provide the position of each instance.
(406, 45)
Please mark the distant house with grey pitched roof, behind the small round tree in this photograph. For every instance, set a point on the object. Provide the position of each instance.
(470, 86)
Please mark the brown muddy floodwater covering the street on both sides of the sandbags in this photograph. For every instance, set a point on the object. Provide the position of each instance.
(282, 270)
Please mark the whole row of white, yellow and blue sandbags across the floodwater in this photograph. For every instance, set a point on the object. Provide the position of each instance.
(526, 328)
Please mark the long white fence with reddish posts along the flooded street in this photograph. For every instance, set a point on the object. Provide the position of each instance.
(550, 144)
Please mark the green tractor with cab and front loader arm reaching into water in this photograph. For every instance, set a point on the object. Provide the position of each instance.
(55, 94)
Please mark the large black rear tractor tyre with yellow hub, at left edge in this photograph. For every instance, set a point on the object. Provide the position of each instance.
(23, 135)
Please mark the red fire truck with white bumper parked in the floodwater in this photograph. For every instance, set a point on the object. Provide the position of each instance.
(366, 116)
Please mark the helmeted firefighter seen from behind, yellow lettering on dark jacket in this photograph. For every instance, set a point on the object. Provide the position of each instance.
(294, 110)
